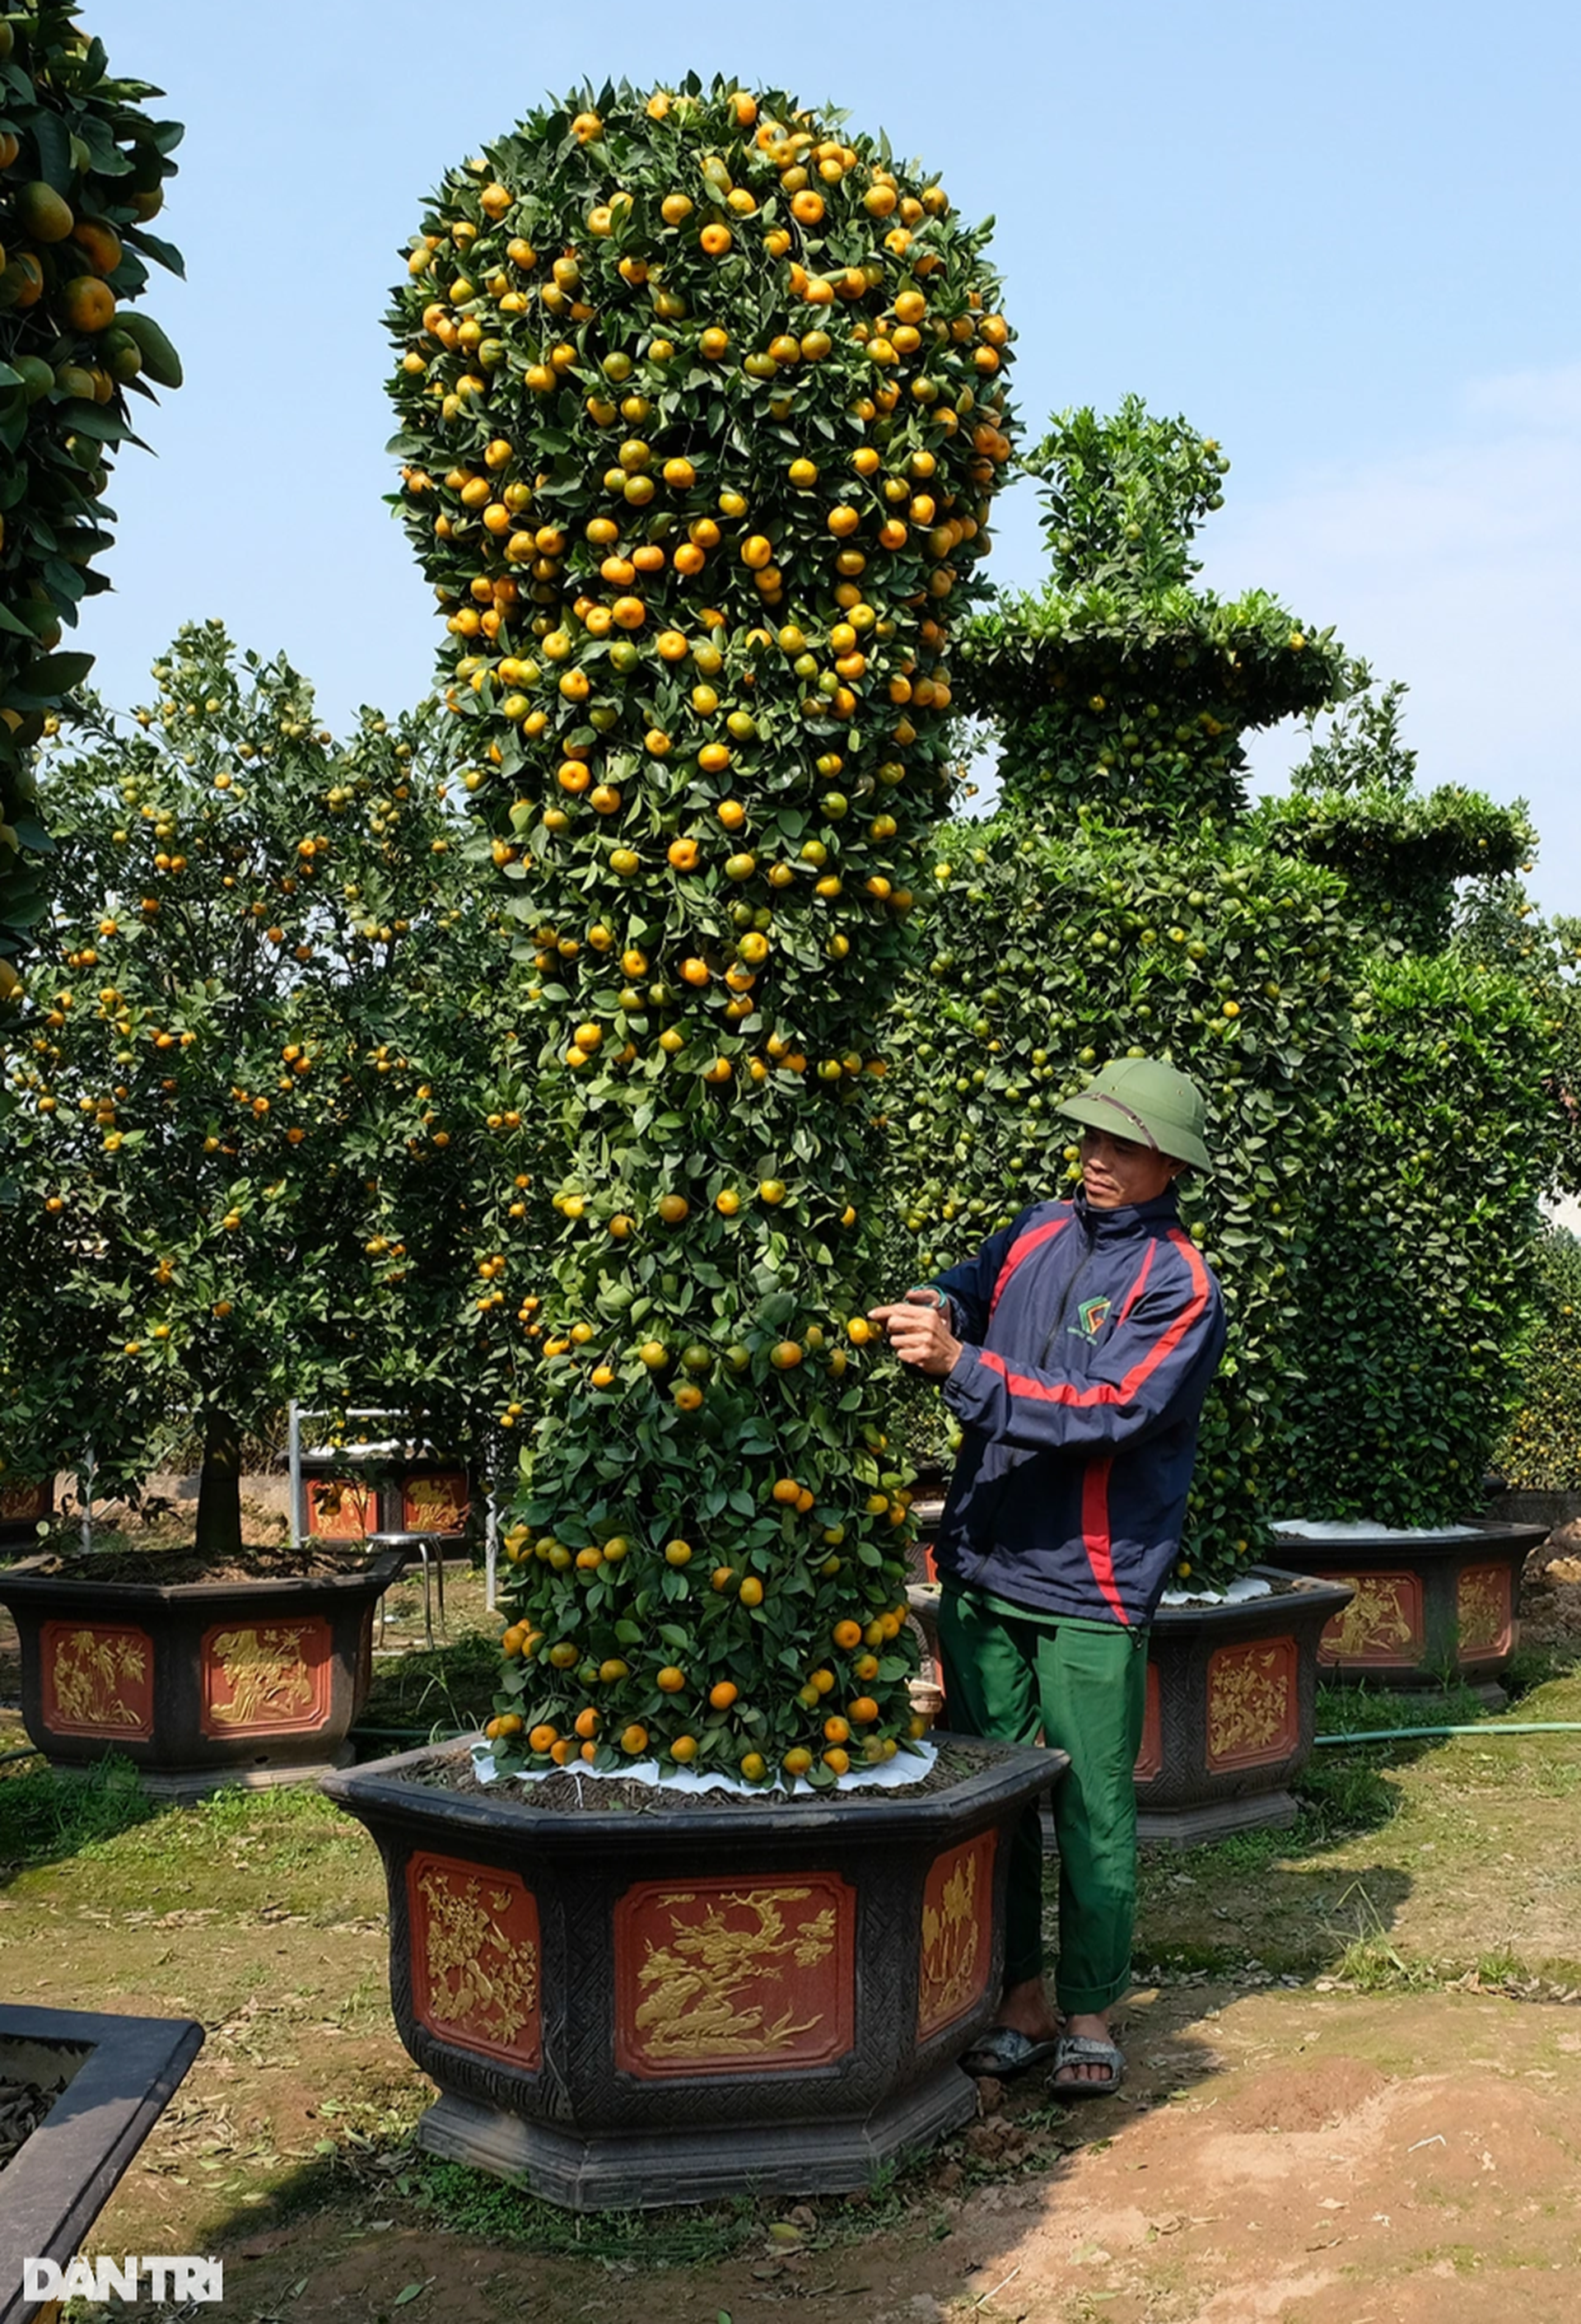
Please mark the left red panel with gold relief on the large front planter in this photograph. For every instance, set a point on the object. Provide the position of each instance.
(475, 1958)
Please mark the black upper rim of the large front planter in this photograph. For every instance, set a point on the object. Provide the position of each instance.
(387, 1788)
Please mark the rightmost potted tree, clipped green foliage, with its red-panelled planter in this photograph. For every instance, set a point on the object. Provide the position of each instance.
(1426, 1200)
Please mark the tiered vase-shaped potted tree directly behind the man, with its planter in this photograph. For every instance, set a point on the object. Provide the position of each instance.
(1122, 903)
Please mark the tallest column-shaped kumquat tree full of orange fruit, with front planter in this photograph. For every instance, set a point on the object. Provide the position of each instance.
(703, 408)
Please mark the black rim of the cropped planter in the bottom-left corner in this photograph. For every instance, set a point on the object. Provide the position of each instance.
(59, 2183)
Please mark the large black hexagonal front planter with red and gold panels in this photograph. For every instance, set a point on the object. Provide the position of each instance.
(694, 2000)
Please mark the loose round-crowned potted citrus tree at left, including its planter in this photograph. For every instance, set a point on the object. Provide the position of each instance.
(248, 924)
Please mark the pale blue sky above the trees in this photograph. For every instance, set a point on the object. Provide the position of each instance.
(1343, 241)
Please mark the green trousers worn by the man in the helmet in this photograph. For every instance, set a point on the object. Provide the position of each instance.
(1082, 1688)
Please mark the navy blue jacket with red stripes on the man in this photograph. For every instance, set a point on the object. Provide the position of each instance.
(1089, 1347)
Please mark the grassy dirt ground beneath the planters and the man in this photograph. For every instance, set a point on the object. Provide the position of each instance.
(1354, 2093)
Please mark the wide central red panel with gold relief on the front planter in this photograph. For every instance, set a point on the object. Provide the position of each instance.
(734, 1977)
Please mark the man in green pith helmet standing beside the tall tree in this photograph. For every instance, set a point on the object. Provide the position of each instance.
(1075, 1351)
